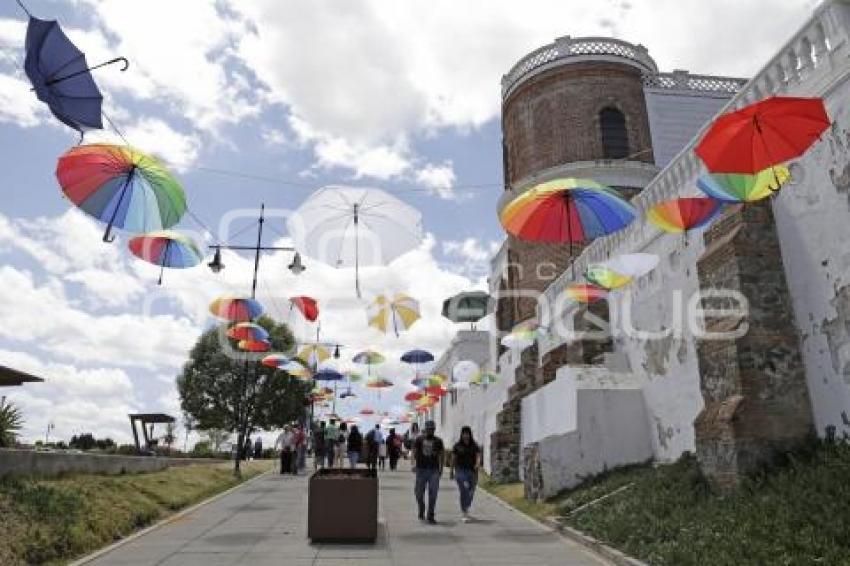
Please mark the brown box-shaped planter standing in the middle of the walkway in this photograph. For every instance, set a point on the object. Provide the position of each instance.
(342, 505)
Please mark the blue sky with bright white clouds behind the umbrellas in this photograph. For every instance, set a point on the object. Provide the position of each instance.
(265, 101)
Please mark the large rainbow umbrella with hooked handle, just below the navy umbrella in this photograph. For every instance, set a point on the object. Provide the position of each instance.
(122, 187)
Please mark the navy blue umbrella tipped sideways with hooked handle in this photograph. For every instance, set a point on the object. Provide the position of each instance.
(61, 77)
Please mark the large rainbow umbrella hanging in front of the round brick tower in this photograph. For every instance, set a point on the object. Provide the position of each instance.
(566, 211)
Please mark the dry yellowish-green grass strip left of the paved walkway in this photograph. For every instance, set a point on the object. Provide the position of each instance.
(50, 521)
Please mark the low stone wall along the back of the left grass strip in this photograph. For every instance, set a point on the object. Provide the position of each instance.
(52, 464)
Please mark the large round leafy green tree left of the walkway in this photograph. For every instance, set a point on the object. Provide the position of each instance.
(236, 392)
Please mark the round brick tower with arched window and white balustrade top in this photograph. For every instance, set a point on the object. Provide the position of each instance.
(574, 108)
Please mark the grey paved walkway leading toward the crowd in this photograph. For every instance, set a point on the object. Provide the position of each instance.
(264, 523)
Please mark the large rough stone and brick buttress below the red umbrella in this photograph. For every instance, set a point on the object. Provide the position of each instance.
(754, 385)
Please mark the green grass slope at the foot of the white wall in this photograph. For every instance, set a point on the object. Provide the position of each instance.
(798, 514)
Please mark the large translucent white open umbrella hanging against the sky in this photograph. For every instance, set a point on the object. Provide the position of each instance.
(353, 227)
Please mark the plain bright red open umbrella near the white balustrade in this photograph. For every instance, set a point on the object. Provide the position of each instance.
(762, 135)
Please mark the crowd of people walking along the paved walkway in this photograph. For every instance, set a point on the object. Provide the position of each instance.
(335, 446)
